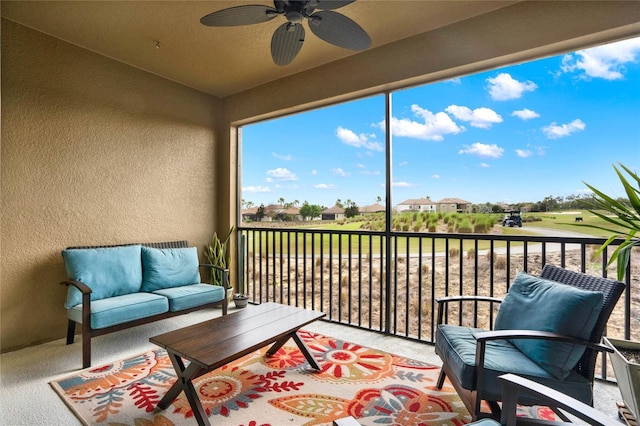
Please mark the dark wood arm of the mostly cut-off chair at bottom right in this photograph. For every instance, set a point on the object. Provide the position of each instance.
(512, 384)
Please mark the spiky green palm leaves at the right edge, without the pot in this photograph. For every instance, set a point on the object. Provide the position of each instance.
(625, 218)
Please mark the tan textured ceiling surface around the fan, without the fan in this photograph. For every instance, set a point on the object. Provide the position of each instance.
(167, 39)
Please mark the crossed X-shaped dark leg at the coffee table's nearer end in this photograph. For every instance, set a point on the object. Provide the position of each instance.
(184, 382)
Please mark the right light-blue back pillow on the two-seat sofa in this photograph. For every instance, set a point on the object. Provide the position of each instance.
(171, 267)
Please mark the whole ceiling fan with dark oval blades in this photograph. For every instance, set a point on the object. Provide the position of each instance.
(286, 42)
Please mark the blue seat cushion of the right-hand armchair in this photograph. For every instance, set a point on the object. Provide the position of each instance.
(457, 348)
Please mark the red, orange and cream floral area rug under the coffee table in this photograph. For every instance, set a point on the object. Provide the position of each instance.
(375, 387)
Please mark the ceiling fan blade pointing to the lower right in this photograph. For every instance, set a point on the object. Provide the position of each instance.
(337, 29)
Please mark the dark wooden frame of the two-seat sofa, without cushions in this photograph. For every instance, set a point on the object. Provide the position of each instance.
(88, 332)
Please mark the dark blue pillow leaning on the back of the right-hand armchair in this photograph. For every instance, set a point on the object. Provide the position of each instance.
(534, 303)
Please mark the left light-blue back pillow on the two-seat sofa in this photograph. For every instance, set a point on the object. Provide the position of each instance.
(109, 271)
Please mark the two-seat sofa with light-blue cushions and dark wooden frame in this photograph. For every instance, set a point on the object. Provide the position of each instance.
(111, 288)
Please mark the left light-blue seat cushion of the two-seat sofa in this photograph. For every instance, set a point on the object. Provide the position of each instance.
(121, 309)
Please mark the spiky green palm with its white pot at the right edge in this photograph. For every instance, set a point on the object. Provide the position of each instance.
(626, 224)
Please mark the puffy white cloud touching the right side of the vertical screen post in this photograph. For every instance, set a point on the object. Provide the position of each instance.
(430, 127)
